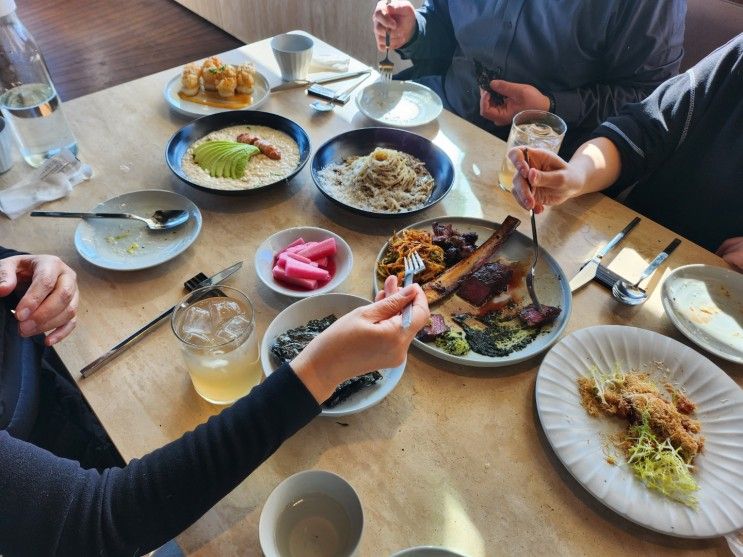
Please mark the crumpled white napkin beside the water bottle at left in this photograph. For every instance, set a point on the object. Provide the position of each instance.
(52, 180)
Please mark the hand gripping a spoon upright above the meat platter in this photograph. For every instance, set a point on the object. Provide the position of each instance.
(545, 180)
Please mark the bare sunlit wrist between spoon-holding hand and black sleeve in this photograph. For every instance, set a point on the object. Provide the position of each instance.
(595, 165)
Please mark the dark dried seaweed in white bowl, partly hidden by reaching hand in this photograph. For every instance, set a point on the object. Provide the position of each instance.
(289, 344)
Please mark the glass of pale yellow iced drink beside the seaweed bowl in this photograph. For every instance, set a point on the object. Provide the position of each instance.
(216, 327)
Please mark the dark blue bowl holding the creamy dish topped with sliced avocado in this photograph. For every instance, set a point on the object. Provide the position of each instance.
(179, 143)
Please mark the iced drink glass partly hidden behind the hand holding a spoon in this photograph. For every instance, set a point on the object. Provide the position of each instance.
(533, 128)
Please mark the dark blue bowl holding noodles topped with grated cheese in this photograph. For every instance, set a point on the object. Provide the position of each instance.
(365, 140)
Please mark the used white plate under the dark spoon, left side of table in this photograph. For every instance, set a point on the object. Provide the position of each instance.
(128, 245)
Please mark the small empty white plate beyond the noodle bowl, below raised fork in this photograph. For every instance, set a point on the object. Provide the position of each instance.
(403, 104)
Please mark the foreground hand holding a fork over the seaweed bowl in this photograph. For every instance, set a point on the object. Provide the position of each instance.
(368, 338)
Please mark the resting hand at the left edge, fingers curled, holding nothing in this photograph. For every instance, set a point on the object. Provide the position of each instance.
(51, 296)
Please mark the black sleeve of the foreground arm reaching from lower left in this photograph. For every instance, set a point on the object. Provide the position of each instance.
(50, 506)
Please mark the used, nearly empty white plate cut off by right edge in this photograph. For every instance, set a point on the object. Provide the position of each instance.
(706, 304)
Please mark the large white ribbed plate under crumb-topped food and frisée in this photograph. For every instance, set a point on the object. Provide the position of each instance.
(580, 440)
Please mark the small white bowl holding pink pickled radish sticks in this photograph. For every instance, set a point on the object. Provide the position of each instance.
(266, 252)
